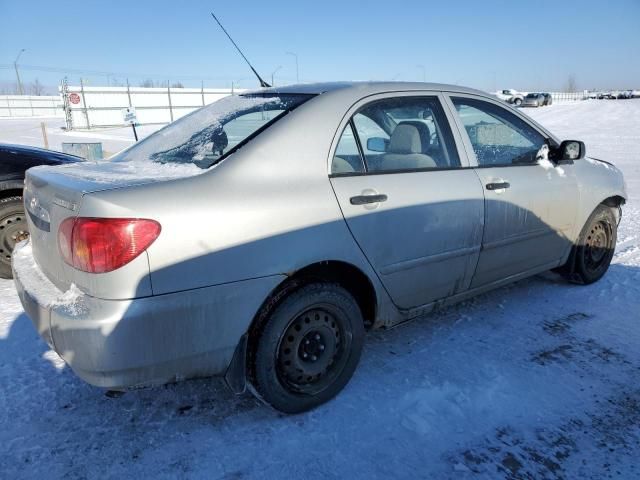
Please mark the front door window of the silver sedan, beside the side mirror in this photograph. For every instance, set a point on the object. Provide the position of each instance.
(498, 136)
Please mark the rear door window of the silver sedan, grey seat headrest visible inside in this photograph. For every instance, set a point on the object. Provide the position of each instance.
(405, 133)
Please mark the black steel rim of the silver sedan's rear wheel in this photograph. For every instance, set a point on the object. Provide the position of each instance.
(313, 350)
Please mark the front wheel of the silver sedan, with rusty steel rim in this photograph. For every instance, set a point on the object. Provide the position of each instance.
(591, 257)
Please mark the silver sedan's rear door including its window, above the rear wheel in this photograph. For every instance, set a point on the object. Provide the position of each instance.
(412, 206)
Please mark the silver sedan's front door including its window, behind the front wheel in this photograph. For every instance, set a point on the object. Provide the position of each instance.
(530, 202)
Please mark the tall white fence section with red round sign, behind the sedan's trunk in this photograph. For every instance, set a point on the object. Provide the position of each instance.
(90, 107)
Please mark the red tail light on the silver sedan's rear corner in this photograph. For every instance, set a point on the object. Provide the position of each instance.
(100, 245)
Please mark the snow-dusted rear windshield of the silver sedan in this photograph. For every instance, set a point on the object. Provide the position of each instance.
(209, 134)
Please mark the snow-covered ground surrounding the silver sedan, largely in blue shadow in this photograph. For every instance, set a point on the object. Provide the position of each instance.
(540, 379)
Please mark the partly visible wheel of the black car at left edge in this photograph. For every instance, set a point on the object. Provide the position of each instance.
(13, 229)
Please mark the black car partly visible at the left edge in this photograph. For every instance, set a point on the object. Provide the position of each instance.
(14, 161)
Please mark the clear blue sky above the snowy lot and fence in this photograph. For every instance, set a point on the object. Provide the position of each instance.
(484, 44)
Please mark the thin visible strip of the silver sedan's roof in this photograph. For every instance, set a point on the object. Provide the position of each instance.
(368, 87)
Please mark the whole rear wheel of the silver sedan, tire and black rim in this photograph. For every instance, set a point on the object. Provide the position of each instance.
(307, 348)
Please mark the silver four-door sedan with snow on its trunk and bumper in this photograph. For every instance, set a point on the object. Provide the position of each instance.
(260, 236)
